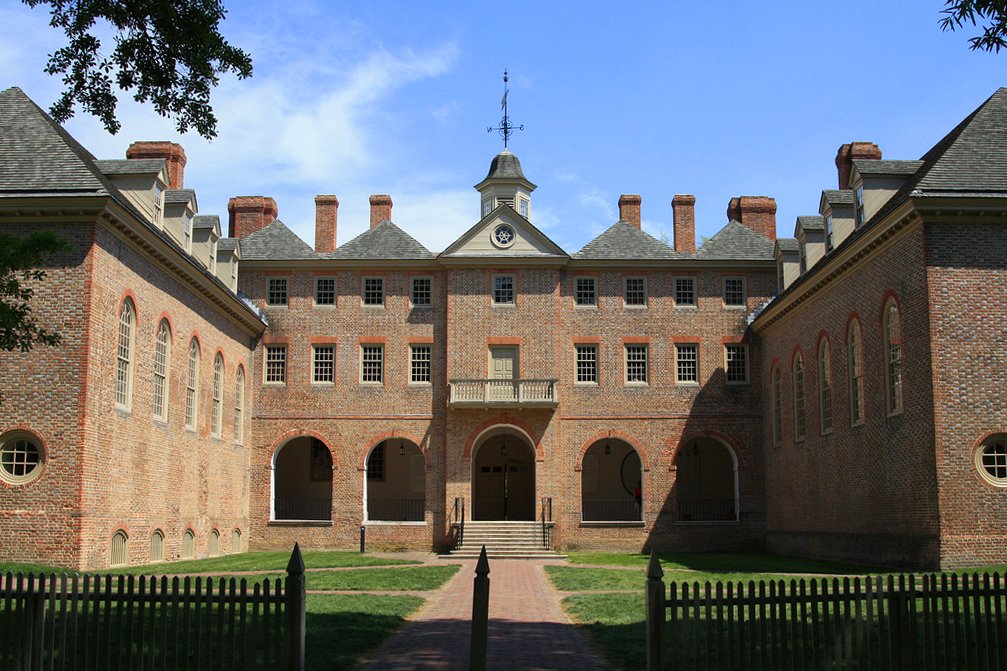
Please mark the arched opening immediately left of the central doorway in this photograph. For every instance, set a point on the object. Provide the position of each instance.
(396, 482)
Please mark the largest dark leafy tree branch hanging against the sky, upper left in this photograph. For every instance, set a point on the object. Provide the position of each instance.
(168, 54)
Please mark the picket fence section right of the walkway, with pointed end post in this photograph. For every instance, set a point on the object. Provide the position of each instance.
(900, 623)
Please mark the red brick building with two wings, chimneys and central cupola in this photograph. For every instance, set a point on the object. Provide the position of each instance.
(636, 394)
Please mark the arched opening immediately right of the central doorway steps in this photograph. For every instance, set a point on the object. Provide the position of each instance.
(612, 480)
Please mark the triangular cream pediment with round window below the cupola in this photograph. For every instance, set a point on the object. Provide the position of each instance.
(504, 233)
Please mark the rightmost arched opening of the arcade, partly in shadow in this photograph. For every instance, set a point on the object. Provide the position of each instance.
(707, 482)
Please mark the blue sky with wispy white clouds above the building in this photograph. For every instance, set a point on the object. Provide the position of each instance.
(652, 98)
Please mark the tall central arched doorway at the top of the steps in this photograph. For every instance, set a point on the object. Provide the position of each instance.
(504, 478)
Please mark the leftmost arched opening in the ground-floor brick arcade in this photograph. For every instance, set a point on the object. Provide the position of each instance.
(303, 481)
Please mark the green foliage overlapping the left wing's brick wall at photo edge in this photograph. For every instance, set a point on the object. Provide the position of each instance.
(20, 261)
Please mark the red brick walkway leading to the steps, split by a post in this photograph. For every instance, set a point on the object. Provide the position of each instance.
(528, 629)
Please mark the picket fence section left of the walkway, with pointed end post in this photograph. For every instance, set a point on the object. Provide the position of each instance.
(53, 622)
